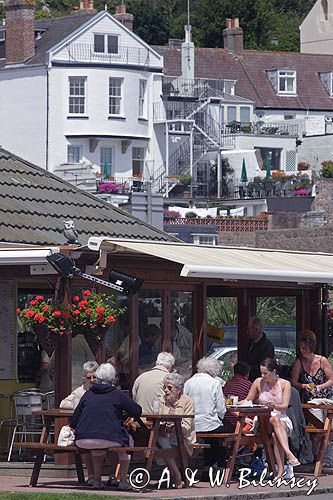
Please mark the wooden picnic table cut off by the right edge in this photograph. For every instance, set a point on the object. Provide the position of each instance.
(319, 429)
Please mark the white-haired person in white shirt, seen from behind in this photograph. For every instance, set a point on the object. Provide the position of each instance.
(206, 391)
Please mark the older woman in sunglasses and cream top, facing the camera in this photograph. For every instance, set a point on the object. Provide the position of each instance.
(175, 402)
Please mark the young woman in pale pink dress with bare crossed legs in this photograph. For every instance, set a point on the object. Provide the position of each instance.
(274, 392)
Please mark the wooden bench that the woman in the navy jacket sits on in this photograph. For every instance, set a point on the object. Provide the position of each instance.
(42, 449)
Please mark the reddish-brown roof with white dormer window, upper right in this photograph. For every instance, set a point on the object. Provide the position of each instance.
(249, 69)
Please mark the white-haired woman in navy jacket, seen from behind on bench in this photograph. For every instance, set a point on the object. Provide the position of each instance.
(98, 423)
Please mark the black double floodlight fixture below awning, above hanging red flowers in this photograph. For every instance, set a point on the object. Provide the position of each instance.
(118, 281)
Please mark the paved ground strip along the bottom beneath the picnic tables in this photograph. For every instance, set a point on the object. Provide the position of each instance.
(238, 490)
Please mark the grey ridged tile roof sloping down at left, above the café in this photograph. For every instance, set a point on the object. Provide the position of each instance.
(34, 203)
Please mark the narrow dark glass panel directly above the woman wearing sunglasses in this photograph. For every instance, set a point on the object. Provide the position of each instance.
(181, 304)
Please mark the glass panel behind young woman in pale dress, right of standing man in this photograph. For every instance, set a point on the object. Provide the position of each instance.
(279, 316)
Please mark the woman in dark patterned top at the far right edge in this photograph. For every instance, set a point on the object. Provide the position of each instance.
(311, 374)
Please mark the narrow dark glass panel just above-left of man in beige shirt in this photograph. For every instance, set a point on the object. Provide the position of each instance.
(150, 324)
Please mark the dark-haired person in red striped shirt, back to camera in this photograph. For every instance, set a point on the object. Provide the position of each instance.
(239, 385)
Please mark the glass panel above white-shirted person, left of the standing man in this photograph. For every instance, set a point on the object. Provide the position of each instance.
(222, 332)
